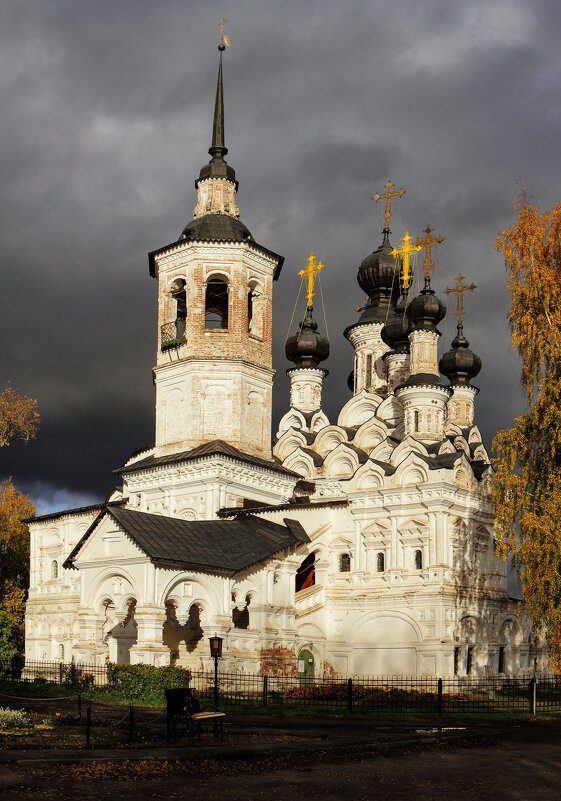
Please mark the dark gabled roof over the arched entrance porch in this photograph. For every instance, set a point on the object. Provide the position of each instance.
(218, 546)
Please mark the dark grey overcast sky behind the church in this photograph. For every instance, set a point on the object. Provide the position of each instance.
(106, 111)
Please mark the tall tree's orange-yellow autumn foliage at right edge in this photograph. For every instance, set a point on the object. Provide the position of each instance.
(527, 485)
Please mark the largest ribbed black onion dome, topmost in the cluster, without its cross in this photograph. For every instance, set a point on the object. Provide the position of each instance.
(378, 276)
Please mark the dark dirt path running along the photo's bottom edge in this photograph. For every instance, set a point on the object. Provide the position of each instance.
(513, 769)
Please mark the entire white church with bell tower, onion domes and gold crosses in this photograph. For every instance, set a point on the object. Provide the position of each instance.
(363, 545)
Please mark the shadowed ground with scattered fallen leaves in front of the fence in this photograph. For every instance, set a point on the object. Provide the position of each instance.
(299, 759)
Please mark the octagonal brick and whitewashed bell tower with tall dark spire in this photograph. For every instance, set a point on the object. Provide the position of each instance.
(213, 375)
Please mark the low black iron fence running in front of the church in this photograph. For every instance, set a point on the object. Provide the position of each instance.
(371, 694)
